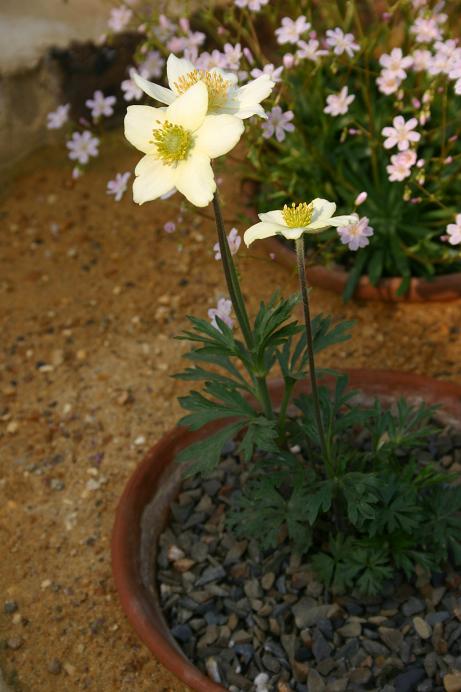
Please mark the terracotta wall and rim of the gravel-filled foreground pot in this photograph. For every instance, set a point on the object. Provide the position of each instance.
(143, 510)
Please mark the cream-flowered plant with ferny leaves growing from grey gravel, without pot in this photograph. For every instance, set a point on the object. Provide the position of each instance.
(354, 510)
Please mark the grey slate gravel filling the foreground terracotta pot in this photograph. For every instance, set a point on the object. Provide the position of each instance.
(261, 621)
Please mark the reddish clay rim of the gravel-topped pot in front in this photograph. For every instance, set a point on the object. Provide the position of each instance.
(138, 603)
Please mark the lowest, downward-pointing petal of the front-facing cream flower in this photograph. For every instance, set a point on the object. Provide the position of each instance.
(195, 180)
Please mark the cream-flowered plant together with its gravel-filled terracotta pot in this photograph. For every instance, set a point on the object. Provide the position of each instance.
(345, 511)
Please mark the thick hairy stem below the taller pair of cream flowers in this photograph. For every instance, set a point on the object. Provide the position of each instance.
(238, 303)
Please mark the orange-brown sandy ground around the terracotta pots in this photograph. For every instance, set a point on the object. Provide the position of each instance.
(91, 294)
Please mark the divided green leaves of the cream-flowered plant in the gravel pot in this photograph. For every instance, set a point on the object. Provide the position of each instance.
(366, 509)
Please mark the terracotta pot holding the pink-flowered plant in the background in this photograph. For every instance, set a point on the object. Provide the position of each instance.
(442, 288)
